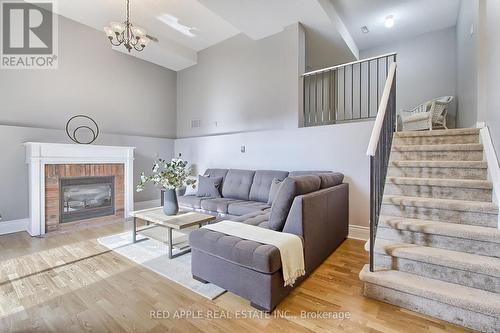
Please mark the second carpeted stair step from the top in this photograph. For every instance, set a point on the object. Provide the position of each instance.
(446, 152)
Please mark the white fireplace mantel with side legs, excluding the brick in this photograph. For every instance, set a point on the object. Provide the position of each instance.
(39, 154)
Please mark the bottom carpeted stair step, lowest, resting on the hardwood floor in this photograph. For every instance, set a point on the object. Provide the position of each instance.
(461, 305)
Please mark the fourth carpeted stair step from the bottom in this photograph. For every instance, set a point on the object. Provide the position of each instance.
(483, 214)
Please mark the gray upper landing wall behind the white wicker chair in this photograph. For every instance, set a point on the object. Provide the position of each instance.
(426, 67)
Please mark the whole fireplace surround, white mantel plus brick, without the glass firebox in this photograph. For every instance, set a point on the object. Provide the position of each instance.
(49, 162)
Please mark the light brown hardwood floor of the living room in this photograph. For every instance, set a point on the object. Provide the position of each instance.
(67, 282)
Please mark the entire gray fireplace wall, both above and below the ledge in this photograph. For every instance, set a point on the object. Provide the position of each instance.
(125, 95)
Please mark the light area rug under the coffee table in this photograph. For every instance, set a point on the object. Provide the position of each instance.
(152, 254)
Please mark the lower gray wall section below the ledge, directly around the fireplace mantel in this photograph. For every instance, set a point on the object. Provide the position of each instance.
(14, 171)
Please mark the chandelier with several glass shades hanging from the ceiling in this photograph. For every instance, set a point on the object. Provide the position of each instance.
(126, 34)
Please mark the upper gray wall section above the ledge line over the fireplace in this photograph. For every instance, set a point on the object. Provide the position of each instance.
(124, 94)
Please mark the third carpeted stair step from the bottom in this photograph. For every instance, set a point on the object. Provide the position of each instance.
(483, 241)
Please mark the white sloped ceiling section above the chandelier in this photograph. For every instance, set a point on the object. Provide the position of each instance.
(174, 50)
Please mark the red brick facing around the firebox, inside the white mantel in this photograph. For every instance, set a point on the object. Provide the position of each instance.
(53, 174)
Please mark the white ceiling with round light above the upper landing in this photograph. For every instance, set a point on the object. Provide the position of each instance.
(412, 17)
